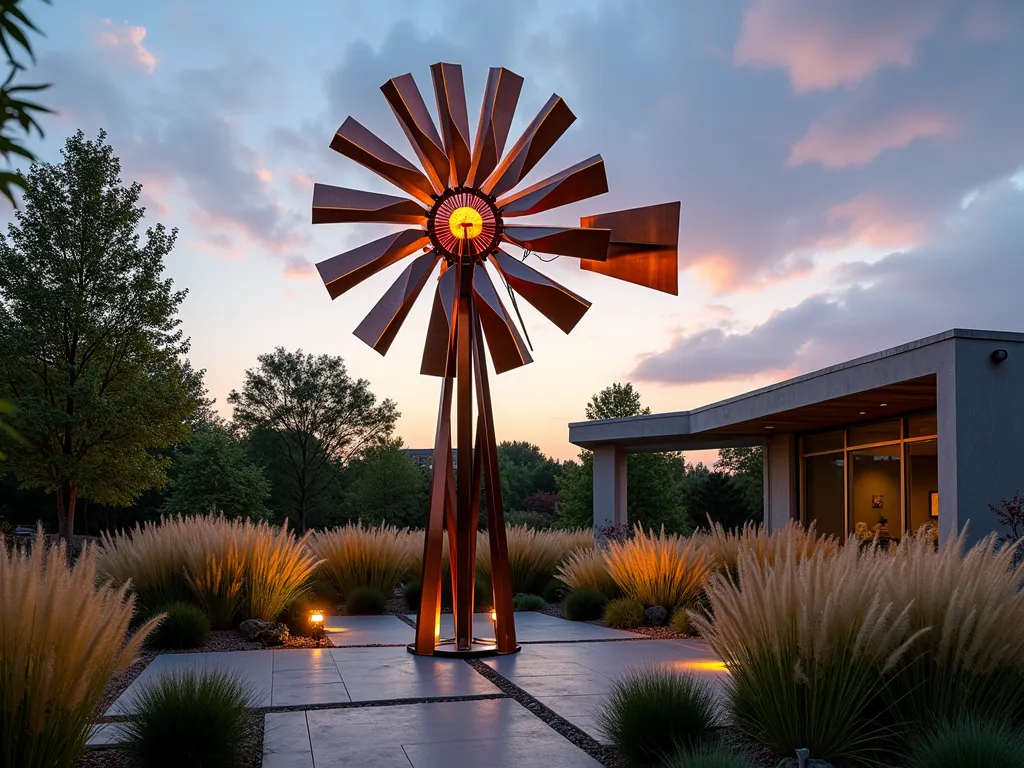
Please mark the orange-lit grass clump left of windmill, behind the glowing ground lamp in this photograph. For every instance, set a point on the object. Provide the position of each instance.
(279, 569)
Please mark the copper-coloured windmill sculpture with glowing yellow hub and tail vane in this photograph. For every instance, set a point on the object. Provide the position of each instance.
(459, 220)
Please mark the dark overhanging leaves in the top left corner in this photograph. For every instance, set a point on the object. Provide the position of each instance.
(15, 27)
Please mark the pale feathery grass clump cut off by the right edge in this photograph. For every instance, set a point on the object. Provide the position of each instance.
(971, 662)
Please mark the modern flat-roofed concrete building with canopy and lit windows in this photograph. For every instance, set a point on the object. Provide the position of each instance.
(930, 432)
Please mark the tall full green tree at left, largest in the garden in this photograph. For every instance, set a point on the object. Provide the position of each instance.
(91, 351)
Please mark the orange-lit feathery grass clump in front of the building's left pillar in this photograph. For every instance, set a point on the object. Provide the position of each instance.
(663, 570)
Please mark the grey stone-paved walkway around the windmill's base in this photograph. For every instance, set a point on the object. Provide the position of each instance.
(382, 707)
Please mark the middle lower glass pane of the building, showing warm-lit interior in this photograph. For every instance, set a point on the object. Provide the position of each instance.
(876, 496)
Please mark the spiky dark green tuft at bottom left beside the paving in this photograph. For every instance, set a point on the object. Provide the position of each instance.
(189, 718)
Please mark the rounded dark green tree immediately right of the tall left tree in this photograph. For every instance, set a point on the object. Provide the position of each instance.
(212, 474)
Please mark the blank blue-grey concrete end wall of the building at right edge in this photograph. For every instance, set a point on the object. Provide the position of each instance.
(982, 436)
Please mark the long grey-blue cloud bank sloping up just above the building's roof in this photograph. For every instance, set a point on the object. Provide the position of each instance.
(968, 275)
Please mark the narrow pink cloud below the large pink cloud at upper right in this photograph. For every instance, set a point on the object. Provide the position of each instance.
(837, 144)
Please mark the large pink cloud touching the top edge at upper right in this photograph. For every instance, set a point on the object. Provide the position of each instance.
(823, 45)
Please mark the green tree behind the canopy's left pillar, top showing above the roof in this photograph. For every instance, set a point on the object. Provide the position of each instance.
(655, 482)
